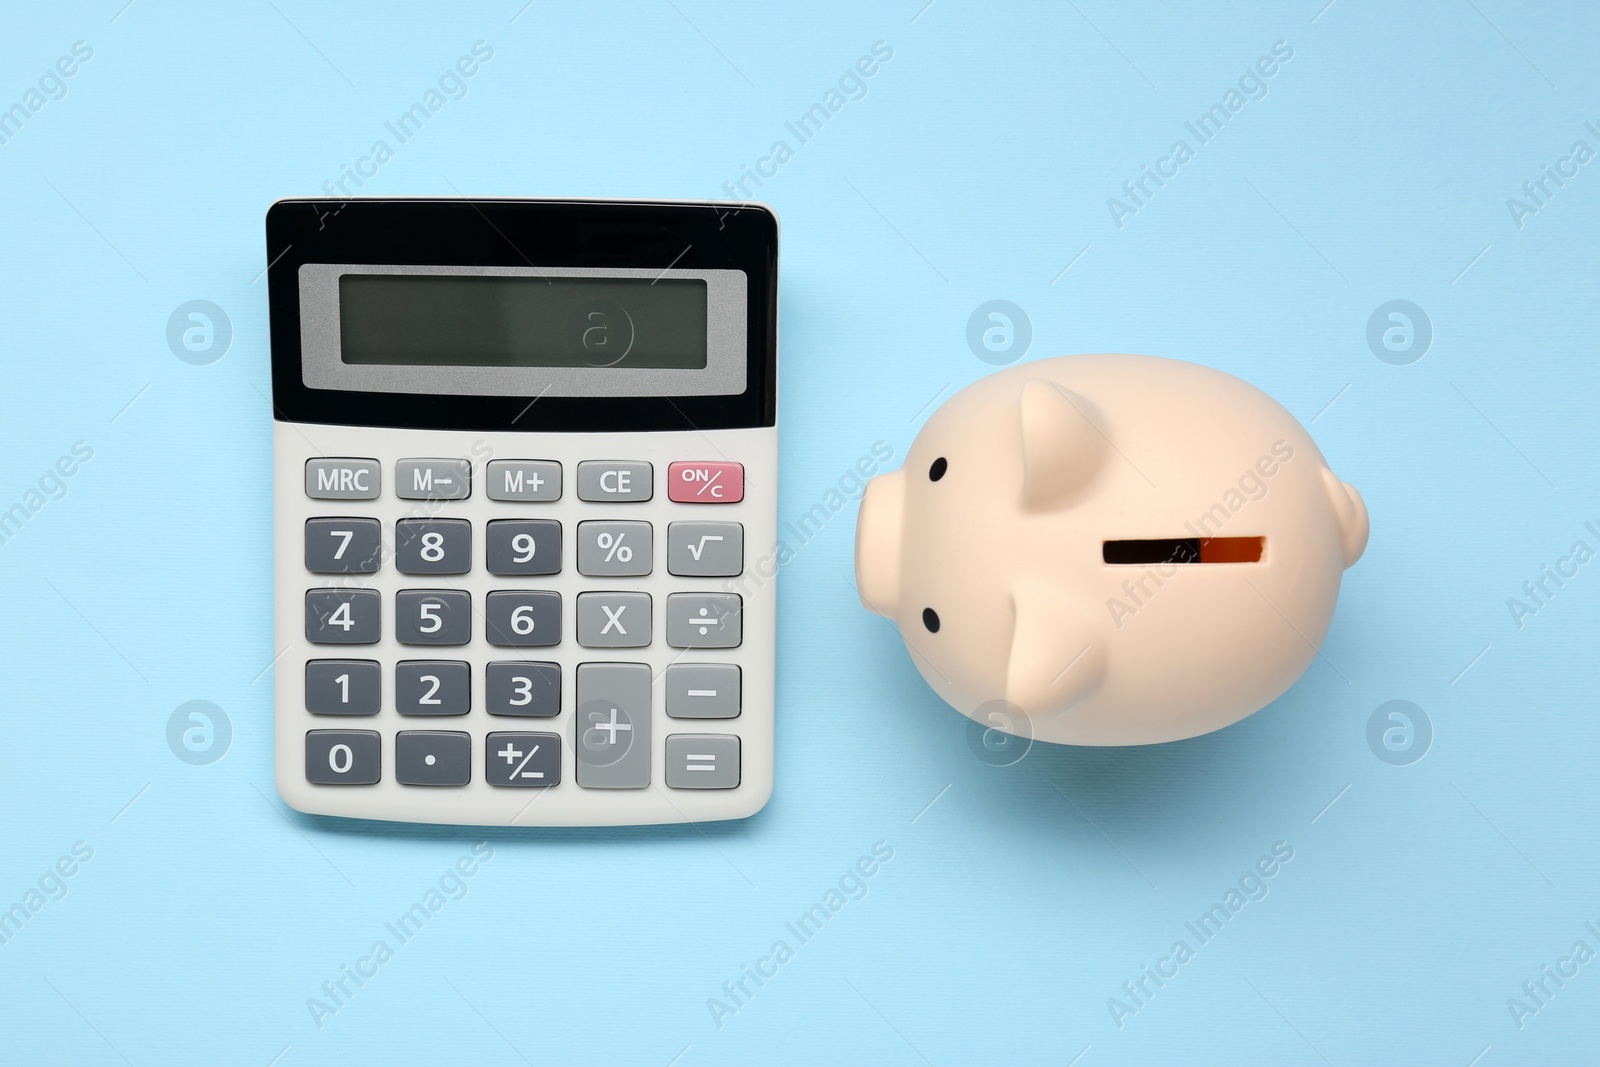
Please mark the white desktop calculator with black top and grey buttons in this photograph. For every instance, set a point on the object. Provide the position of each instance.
(526, 510)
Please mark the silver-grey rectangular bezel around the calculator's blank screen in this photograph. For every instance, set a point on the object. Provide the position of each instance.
(726, 369)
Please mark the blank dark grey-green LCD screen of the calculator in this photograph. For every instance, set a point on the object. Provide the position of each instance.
(530, 321)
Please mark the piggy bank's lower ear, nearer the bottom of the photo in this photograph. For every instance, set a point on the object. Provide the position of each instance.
(1058, 658)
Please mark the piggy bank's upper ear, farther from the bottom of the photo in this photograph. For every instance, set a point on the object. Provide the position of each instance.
(1063, 449)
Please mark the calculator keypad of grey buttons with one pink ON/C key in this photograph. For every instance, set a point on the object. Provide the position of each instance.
(610, 727)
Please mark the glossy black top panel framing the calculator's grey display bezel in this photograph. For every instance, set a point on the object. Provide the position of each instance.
(526, 234)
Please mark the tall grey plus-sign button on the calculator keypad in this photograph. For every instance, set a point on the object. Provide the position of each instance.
(614, 725)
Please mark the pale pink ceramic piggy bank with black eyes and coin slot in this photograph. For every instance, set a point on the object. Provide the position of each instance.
(1110, 549)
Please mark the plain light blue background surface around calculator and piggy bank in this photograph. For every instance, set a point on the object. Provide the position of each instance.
(978, 167)
